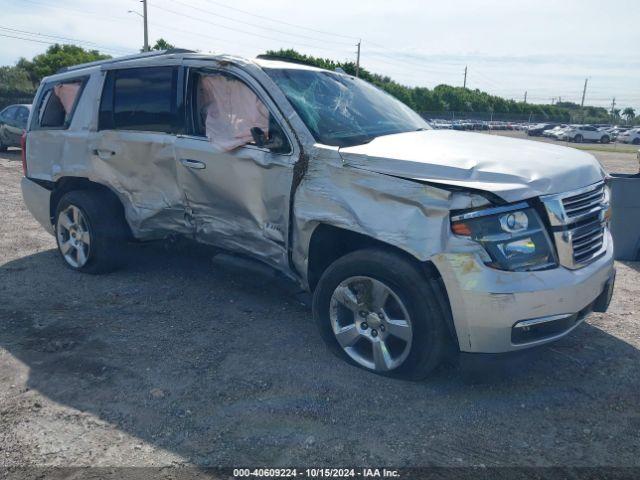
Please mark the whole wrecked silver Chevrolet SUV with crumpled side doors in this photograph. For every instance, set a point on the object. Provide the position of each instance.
(414, 242)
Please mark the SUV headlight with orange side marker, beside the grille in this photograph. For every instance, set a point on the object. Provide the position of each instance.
(514, 237)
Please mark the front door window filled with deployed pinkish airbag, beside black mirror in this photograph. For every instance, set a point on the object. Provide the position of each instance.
(230, 114)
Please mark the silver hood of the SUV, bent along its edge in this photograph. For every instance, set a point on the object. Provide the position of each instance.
(510, 168)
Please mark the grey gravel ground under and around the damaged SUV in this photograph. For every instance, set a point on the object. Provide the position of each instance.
(181, 359)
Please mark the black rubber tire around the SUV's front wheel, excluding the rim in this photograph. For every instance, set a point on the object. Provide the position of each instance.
(422, 298)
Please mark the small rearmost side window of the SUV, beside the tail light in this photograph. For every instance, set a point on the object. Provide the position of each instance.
(58, 103)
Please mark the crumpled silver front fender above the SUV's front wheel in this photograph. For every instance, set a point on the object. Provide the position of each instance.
(408, 215)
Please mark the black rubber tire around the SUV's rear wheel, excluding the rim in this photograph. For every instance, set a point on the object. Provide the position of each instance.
(107, 228)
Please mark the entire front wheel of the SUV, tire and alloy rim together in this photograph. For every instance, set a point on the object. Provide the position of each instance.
(378, 310)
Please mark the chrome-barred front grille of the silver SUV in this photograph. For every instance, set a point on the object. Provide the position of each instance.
(578, 221)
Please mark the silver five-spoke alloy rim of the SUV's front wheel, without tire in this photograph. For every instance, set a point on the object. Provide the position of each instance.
(371, 323)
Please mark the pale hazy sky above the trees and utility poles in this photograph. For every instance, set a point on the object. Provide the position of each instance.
(544, 47)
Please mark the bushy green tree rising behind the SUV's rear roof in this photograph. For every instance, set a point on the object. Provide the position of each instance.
(56, 57)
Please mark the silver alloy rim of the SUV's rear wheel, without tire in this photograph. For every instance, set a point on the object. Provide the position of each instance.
(74, 236)
